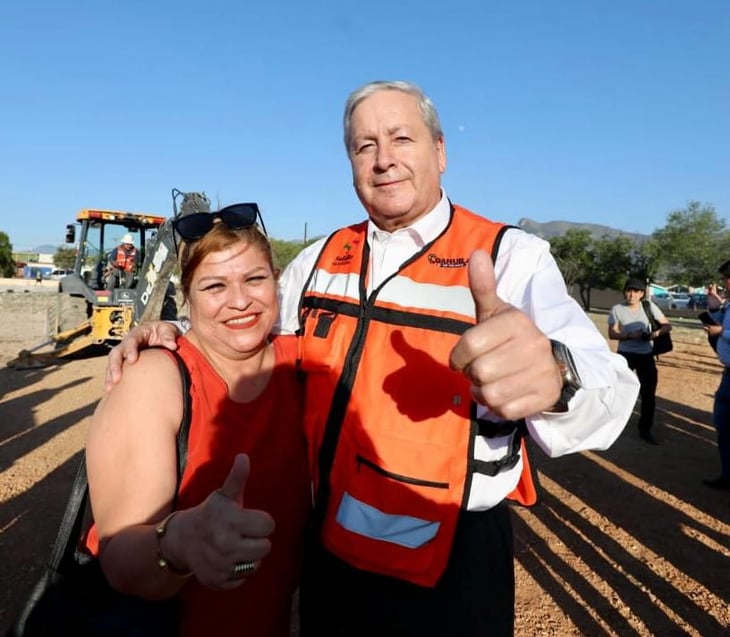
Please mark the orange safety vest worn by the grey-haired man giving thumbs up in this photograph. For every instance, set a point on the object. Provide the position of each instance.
(391, 428)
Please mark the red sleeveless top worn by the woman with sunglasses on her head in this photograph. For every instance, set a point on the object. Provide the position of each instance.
(269, 430)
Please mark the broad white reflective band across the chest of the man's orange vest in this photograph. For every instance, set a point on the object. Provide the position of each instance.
(402, 291)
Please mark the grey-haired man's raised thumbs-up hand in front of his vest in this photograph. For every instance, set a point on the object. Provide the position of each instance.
(506, 358)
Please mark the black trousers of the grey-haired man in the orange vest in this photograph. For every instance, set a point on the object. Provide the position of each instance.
(474, 598)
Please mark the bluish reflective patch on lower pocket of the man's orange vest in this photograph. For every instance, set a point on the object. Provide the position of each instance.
(364, 519)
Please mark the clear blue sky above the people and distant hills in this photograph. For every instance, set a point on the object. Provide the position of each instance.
(580, 110)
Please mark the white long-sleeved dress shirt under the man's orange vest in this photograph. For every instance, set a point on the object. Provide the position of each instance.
(529, 279)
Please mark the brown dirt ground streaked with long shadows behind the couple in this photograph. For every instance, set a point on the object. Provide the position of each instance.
(626, 542)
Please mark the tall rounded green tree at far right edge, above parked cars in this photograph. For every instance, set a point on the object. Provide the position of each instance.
(692, 244)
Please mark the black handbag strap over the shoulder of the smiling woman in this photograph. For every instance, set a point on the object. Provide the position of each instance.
(77, 507)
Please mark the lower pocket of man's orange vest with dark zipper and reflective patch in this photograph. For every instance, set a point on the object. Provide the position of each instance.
(393, 509)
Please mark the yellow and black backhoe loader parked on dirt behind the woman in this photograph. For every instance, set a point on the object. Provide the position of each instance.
(93, 312)
